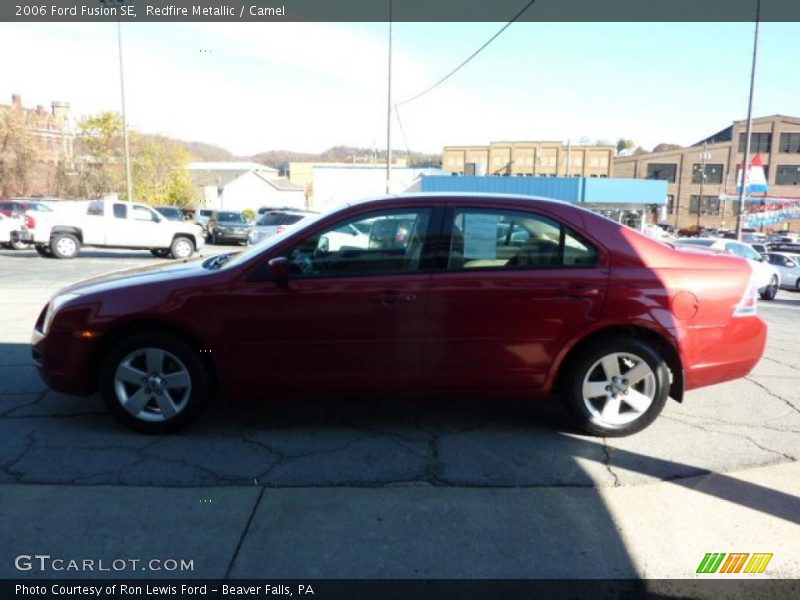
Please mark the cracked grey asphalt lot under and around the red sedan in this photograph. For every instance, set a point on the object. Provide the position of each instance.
(307, 473)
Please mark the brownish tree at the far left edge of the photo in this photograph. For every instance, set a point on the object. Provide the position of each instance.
(18, 151)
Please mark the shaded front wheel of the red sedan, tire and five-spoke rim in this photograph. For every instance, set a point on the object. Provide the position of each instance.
(153, 382)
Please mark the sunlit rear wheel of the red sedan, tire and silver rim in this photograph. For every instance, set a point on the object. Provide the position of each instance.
(615, 387)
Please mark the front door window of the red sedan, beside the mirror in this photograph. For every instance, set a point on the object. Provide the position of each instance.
(393, 243)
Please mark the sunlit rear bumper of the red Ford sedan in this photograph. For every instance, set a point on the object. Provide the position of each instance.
(717, 354)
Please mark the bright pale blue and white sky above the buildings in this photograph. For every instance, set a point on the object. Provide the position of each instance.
(252, 87)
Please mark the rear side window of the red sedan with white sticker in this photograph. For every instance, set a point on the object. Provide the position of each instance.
(497, 239)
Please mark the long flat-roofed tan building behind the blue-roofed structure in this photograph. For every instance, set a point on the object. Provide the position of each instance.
(529, 159)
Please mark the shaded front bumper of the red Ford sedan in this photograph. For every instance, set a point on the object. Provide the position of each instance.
(63, 362)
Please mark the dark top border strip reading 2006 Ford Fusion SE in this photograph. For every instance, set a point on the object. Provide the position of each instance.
(402, 10)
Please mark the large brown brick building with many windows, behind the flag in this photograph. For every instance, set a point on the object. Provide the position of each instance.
(702, 178)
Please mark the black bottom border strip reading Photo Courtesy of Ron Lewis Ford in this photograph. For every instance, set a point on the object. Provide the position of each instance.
(711, 587)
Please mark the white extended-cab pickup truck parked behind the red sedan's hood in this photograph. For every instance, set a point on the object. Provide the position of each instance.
(109, 224)
